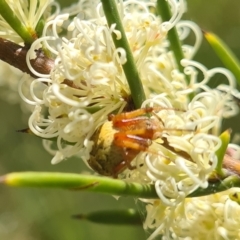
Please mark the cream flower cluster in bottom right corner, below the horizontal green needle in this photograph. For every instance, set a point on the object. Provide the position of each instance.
(212, 217)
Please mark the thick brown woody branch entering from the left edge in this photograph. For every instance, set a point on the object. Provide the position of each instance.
(15, 55)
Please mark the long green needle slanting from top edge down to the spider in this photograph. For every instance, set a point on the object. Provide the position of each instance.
(129, 68)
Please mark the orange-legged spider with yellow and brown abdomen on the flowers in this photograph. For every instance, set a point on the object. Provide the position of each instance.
(118, 141)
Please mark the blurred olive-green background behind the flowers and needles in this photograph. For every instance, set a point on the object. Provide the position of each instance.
(36, 214)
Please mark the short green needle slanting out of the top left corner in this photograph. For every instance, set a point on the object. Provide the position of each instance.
(15, 23)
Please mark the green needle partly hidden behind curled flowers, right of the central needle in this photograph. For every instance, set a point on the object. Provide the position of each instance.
(175, 45)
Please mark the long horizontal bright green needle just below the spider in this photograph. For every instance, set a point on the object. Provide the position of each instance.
(79, 182)
